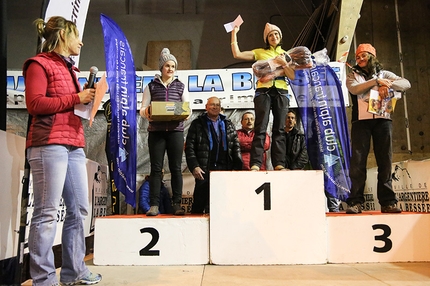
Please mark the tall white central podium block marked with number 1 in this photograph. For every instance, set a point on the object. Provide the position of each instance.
(272, 217)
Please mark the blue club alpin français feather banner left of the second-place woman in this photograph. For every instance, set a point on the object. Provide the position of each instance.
(121, 77)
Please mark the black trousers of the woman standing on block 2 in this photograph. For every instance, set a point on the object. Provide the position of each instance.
(159, 142)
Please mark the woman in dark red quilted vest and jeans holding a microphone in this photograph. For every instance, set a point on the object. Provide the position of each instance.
(55, 143)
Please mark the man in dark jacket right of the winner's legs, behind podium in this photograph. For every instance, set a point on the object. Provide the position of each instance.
(296, 154)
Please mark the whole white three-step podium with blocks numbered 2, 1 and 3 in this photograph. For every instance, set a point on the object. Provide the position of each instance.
(263, 218)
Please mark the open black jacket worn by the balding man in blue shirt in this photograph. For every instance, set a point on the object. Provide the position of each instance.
(197, 146)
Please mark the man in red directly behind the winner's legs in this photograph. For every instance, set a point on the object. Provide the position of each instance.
(246, 135)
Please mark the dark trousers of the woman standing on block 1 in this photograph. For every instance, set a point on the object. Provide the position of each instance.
(264, 100)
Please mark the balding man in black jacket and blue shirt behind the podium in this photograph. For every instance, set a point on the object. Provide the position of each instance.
(211, 145)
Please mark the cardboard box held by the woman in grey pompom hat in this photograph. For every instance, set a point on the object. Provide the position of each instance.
(169, 110)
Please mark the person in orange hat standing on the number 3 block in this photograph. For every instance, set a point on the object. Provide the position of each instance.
(368, 76)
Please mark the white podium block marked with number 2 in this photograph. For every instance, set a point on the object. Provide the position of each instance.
(160, 240)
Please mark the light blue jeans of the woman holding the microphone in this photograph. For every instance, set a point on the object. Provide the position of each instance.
(58, 171)
